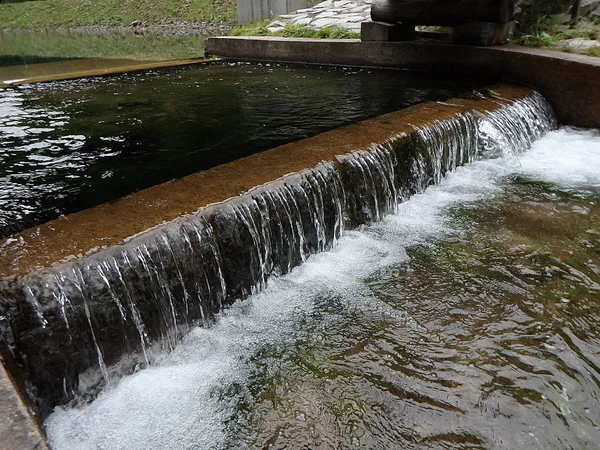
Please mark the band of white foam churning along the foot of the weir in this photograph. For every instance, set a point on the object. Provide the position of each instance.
(178, 403)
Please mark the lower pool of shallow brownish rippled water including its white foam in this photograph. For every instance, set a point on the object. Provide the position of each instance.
(468, 319)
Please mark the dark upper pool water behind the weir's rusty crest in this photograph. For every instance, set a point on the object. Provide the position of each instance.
(67, 146)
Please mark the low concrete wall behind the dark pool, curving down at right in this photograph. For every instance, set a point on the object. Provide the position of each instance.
(568, 81)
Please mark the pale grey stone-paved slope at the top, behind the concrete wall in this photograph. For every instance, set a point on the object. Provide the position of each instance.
(331, 13)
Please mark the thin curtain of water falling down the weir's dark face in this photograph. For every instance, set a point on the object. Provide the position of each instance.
(69, 328)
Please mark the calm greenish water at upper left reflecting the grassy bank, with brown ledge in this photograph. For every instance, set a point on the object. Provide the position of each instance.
(55, 55)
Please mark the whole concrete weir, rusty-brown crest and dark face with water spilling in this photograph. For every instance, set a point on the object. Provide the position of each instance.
(101, 288)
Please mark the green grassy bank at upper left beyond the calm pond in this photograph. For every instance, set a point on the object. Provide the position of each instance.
(50, 14)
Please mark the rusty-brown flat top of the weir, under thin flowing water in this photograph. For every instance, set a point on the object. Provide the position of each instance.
(87, 232)
